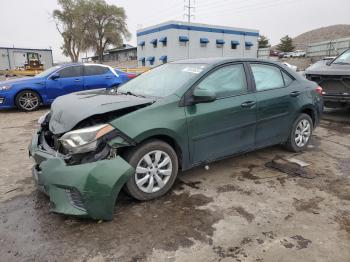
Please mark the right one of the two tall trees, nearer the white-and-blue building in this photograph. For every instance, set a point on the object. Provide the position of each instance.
(107, 26)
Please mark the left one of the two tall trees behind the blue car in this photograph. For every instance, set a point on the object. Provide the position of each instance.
(72, 24)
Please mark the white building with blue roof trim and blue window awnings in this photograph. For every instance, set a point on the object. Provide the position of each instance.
(174, 40)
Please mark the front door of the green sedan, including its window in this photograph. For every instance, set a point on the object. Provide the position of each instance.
(227, 125)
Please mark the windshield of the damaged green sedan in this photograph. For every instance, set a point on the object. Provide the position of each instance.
(163, 80)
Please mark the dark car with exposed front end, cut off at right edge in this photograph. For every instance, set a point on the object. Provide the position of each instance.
(334, 77)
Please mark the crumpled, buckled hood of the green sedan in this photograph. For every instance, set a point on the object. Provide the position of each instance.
(67, 111)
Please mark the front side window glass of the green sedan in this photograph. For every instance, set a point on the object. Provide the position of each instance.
(226, 81)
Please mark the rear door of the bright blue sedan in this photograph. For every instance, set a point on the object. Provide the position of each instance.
(96, 76)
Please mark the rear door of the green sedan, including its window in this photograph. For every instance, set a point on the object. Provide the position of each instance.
(278, 99)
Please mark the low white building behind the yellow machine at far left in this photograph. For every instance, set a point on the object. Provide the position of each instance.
(13, 58)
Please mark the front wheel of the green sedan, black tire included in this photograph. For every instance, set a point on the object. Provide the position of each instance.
(148, 170)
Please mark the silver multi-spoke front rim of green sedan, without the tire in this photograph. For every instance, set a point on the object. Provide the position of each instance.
(153, 171)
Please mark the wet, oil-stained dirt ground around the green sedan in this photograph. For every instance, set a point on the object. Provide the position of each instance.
(238, 210)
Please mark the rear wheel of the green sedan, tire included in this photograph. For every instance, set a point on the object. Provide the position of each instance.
(300, 135)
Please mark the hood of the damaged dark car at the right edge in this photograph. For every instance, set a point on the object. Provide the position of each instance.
(321, 68)
